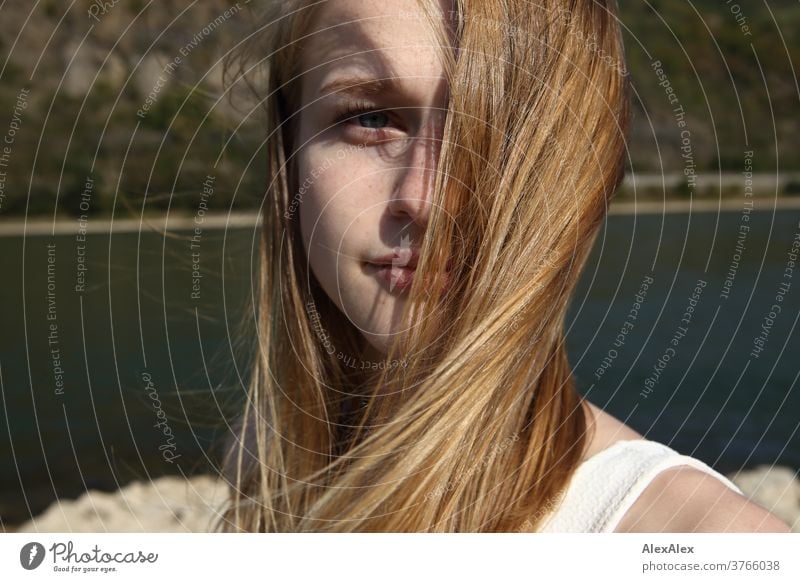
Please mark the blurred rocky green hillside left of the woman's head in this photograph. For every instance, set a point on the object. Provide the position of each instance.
(86, 94)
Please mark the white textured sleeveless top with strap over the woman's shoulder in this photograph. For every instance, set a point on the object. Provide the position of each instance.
(606, 485)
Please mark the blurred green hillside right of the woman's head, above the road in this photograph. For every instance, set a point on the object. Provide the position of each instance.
(734, 67)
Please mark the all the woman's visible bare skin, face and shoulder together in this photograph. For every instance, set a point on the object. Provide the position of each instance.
(371, 195)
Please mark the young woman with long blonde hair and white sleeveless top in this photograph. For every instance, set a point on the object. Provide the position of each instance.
(438, 172)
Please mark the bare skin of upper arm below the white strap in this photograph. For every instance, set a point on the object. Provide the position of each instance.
(686, 499)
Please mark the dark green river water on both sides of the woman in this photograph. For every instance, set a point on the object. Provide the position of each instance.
(119, 362)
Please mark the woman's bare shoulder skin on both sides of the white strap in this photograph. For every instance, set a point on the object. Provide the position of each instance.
(681, 498)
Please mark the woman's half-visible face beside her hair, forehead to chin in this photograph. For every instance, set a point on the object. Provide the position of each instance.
(373, 100)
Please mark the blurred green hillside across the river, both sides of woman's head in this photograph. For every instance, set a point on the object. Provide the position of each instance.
(90, 73)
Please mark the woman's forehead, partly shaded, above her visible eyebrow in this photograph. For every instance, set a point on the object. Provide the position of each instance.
(384, 39)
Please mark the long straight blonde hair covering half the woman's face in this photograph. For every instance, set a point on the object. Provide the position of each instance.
(481, 427)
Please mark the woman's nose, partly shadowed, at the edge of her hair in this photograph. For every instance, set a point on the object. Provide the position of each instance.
(411, 195)
